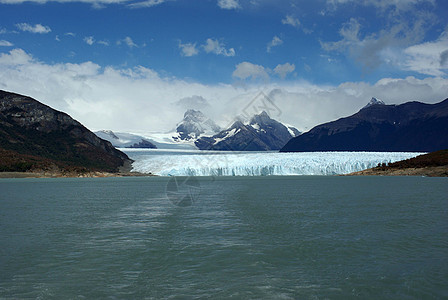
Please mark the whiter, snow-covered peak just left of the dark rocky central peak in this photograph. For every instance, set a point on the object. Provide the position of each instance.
(193, 125)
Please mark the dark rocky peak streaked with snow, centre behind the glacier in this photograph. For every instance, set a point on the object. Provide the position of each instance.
(261, 133)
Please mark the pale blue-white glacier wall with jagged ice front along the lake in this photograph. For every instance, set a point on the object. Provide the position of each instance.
(219, 163)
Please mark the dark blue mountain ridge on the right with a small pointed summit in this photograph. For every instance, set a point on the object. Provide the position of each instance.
(412, 126)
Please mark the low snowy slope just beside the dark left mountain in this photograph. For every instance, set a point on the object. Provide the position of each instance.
(125, 140)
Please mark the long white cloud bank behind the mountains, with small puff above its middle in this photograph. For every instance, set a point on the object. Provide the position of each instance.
(141, 100)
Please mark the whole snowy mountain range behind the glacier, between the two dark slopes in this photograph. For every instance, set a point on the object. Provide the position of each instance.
(196, 130)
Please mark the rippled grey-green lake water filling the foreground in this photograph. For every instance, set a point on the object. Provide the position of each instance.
(246, 237)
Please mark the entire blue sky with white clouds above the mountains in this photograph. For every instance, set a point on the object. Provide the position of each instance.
(137, 65)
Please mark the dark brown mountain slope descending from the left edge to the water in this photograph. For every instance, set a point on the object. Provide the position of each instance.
(33, 135)
